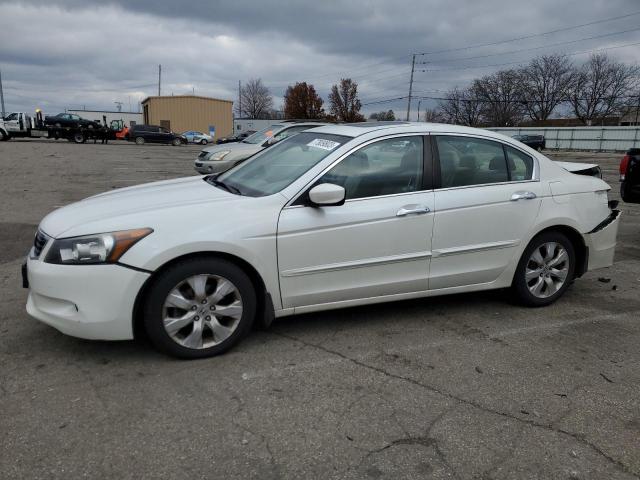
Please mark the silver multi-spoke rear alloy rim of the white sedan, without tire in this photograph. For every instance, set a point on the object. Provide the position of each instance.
(547, 269)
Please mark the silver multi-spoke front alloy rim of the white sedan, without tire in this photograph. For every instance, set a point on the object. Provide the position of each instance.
(202, 311)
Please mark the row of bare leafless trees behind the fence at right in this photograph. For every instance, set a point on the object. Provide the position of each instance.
(593, 91)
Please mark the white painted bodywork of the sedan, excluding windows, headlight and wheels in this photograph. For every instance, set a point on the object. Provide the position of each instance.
(318, 258)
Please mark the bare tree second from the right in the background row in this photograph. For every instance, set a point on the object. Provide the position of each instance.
(545, 84)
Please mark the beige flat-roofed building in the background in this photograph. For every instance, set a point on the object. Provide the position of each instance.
(181, 113)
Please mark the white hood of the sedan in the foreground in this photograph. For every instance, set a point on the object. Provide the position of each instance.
(126, 207)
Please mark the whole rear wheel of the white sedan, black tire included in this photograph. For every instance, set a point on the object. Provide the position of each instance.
(550, 274)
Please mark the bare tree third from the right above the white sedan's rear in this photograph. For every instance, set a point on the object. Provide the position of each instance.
(501, 99)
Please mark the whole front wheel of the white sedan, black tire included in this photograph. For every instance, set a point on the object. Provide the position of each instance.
(194, 331)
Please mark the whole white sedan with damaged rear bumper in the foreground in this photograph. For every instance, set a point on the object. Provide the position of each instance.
(336, 216)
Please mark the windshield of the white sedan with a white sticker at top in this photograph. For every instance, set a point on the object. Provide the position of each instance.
(280, 165)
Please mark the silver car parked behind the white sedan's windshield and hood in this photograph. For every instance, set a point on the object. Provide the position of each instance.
(220, 158)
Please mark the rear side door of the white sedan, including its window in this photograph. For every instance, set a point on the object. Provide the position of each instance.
(487, 198)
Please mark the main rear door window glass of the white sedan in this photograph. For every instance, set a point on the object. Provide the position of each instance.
(470, 161)
